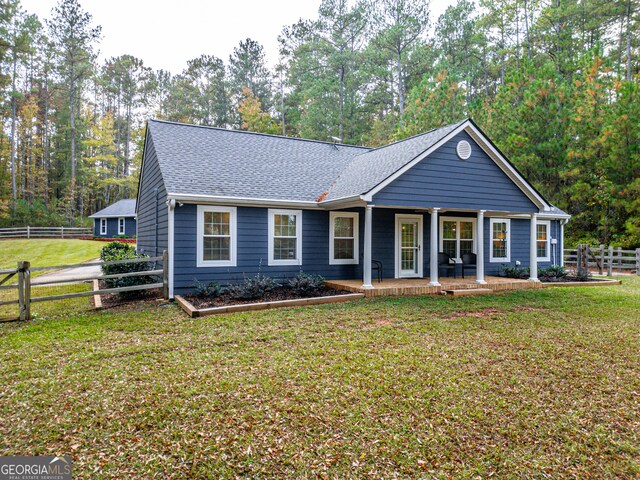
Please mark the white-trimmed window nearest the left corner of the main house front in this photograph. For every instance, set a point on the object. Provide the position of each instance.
(217, 236)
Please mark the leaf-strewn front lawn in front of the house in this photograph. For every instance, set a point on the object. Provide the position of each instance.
(530, 384)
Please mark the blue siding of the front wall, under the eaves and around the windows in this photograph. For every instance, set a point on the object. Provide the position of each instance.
(252, 255)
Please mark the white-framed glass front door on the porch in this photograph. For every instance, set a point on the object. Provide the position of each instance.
(409, 246)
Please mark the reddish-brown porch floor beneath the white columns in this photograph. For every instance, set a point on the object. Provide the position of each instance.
(423, 286)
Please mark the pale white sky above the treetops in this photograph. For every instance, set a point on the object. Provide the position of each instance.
(167, 33)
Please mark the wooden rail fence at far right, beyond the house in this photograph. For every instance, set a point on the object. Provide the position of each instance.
(606, 260)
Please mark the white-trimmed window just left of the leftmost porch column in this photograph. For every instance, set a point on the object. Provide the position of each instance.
(343, 238)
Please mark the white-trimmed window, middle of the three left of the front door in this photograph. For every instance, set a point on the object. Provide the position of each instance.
(285, 237)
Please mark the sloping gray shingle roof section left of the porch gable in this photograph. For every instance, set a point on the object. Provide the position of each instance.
(371, 168)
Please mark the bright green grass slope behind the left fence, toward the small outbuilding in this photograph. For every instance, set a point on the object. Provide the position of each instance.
(47, 252)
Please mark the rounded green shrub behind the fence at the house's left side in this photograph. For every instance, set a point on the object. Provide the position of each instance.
(122, 251)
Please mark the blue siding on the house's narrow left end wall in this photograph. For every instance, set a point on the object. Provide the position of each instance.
(152, 209)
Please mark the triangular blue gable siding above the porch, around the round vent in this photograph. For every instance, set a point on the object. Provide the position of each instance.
(444, 180)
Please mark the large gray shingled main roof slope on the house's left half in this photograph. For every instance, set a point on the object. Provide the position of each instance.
(218, 162)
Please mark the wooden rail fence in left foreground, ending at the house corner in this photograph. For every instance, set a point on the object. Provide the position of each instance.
(25, 286)
